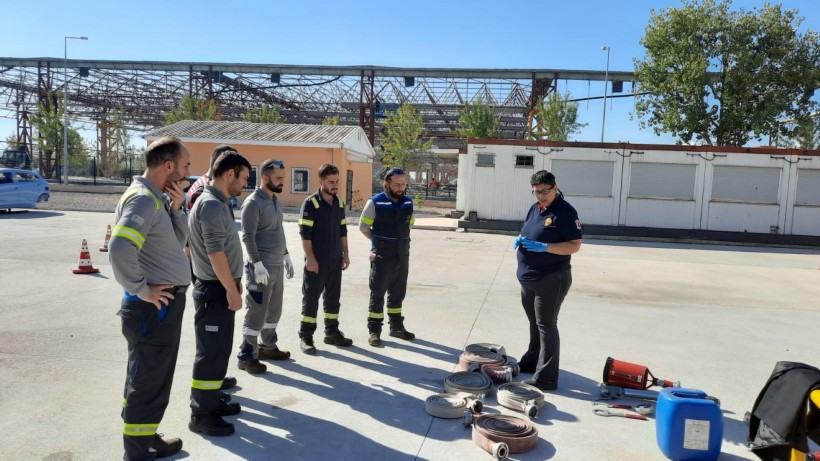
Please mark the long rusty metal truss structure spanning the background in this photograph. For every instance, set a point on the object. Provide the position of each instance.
(142, 92)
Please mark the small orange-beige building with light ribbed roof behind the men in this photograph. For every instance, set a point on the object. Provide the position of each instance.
(303, 148)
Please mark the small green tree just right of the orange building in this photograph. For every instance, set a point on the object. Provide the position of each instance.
(403, 141)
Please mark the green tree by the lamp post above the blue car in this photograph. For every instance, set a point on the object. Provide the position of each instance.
(49, 128)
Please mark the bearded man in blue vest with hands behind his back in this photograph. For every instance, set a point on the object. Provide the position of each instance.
(386, 221)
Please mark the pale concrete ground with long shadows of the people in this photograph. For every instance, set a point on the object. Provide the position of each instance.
(715, 318)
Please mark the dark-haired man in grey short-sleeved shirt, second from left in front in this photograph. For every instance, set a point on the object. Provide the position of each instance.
(217, 258)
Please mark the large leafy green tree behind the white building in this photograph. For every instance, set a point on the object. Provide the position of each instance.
(721, 76)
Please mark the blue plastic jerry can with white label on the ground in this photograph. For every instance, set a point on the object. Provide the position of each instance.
(688, 425)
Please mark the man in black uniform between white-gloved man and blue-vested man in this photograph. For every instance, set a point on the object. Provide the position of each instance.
(323, 228)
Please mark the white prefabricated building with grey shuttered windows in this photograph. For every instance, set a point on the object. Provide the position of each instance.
(673, 189)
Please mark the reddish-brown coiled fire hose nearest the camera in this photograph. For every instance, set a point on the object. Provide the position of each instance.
(502, 434)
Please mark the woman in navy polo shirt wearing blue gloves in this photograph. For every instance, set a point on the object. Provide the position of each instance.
(550, 235)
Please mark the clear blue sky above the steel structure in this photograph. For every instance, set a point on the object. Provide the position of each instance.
(422, 33)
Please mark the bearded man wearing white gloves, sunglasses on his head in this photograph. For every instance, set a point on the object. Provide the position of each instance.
(264, 237)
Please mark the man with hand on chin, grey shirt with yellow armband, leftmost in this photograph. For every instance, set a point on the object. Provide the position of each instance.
(147, 259)
